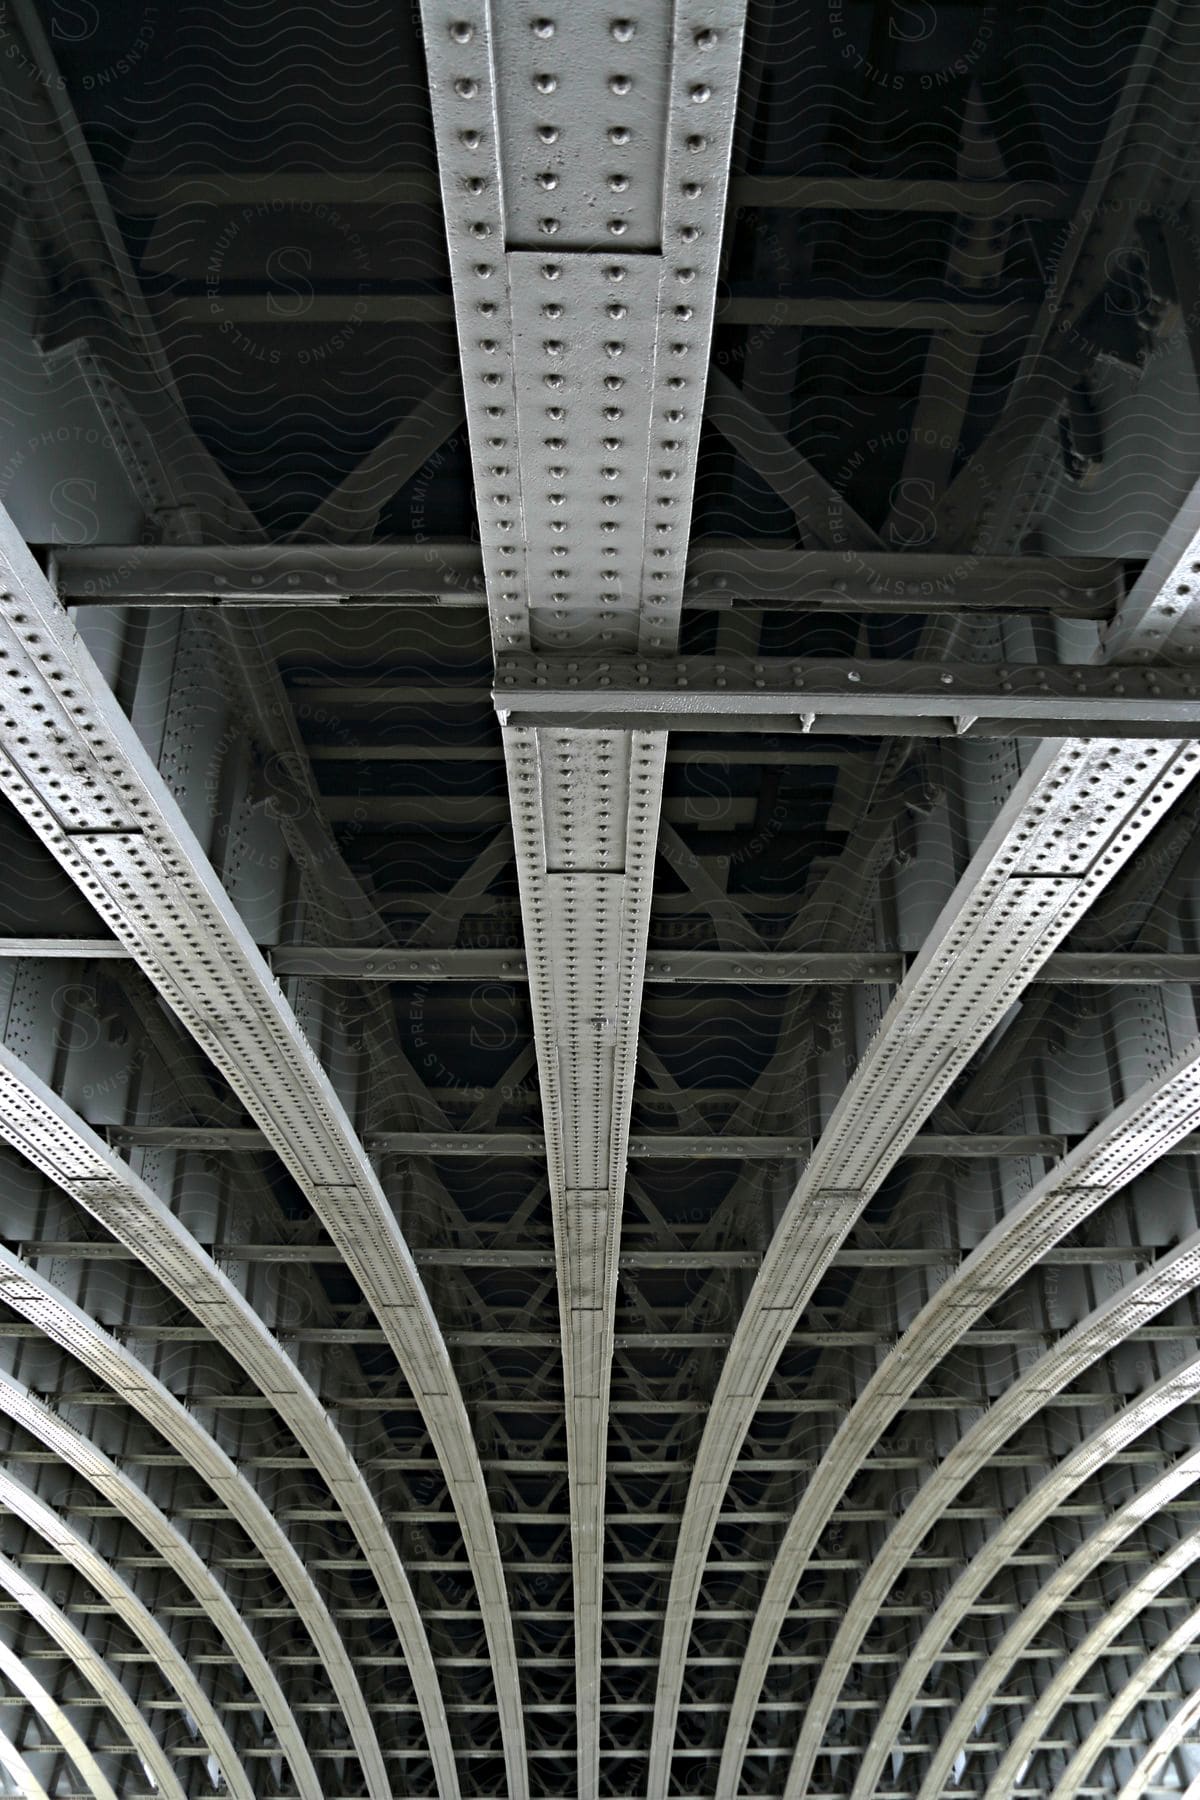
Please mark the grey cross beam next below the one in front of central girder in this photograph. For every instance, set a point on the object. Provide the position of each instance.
(695, 967)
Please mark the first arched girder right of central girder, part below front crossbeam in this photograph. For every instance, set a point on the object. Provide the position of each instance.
(1080, 809)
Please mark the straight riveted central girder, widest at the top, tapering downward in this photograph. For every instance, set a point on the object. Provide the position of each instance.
(584, 163)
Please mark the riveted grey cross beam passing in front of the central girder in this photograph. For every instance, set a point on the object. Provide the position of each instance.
(850, 697)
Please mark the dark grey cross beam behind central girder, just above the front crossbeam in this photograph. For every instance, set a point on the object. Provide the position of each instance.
(449, 573)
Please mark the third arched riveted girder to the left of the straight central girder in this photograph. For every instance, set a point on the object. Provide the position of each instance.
(120, 1369)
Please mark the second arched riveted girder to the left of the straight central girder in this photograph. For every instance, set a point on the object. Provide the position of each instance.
(37, 1122)
